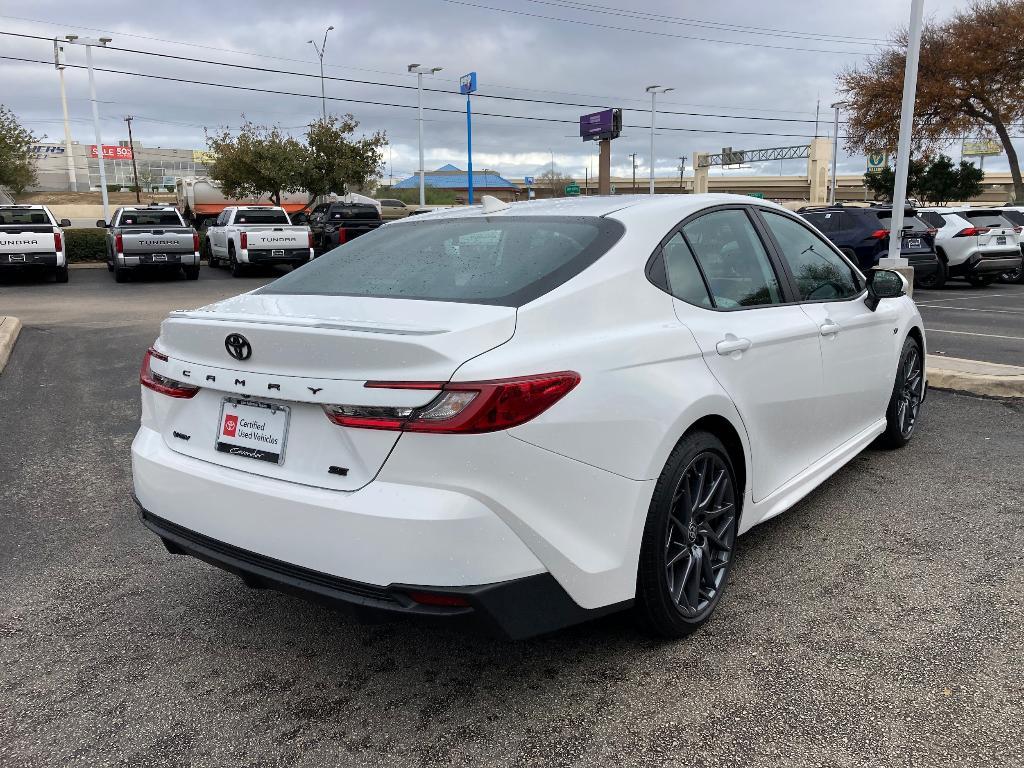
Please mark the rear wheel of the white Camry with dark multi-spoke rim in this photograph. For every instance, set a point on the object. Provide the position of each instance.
(687, 551)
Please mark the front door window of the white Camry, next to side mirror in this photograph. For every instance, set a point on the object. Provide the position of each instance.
(821, 274)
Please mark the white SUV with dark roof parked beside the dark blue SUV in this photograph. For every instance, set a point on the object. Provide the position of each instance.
(978, 244)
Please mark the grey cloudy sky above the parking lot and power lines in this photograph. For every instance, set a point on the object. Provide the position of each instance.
(755, 69)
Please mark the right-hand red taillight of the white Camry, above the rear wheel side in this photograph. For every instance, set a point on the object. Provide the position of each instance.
(462, 408)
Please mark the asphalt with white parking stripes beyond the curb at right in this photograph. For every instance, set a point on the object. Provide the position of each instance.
(980, 324)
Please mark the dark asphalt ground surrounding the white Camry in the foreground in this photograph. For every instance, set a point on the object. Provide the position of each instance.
(881, 622)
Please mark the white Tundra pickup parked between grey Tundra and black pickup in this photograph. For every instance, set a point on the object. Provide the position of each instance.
(257, 235)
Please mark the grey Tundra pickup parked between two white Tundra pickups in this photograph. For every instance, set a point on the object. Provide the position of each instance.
(150, 237)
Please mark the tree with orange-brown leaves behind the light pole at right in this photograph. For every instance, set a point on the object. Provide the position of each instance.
(970, 83)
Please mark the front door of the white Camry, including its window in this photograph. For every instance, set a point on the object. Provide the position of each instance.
(857, 344)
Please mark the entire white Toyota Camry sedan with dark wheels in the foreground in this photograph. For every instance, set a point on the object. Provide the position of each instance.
(528, 414)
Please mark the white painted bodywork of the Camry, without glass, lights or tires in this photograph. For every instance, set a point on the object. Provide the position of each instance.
(804, 387)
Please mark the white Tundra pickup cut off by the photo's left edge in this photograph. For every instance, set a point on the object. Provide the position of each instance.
(32, 239)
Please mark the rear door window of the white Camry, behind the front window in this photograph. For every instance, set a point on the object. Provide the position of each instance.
(734, 261)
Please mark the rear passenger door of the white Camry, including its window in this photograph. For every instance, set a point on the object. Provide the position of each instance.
(761, 350)
